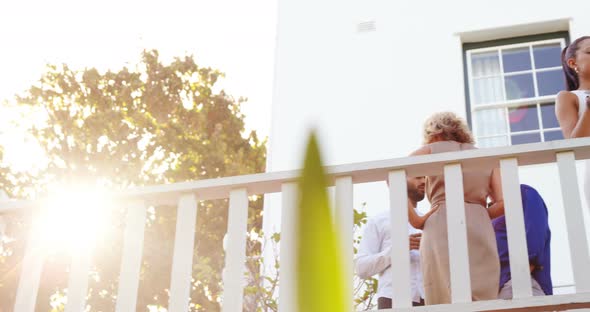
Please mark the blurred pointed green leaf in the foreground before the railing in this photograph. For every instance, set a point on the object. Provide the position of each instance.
(320, 273)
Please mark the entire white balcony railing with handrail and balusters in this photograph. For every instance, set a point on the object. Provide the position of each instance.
(237, 189)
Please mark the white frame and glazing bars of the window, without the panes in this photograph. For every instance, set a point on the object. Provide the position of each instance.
(506, 105)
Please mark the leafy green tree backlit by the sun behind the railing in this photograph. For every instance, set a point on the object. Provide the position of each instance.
(156, 123)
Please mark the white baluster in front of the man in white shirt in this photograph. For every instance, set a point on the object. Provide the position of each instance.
(400, 245)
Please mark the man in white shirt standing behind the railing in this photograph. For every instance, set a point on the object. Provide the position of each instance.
(374, 254)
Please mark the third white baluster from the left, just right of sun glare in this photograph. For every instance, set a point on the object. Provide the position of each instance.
(131, 259)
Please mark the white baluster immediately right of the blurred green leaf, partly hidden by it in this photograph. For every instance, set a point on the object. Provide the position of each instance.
(345, 223)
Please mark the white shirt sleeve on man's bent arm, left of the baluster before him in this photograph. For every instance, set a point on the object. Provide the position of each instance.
(370, 259)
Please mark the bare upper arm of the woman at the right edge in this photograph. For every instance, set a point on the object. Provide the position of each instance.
(566, 110)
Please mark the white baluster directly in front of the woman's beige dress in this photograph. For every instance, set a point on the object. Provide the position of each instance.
(457, 234)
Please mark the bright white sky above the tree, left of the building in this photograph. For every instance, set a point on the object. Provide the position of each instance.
(234, 36)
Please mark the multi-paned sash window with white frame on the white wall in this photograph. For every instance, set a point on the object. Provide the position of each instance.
(512, 85)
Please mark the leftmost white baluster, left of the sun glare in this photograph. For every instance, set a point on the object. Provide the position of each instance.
(32, 266)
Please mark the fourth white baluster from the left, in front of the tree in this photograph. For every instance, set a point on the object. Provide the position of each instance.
(182, 261)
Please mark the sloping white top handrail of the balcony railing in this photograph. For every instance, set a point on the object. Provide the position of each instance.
(361, 172)
